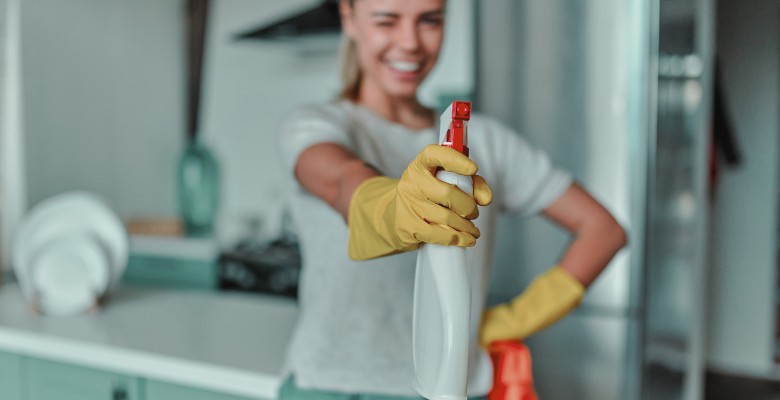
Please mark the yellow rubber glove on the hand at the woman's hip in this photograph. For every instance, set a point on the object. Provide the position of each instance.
(547, 299)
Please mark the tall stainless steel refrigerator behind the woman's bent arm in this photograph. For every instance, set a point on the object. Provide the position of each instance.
(617, 92)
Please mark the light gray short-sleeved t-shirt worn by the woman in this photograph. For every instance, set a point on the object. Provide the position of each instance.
(354, 332)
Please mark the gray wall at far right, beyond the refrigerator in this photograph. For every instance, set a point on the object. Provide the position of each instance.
(743, 272)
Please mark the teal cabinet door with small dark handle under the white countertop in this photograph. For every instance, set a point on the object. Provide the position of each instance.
(49, 380)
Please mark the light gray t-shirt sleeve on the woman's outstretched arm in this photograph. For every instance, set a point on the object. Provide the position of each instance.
(311, 125)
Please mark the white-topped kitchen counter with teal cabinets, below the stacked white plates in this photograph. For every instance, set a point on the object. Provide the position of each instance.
(147, 344)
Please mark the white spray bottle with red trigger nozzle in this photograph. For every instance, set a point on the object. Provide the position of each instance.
(442, 290)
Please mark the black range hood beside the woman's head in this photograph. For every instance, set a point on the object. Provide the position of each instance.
(309, 24)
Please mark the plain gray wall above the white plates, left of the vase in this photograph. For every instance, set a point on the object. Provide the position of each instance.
(104, 100)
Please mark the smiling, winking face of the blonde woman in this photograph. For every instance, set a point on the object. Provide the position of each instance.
(397, 42)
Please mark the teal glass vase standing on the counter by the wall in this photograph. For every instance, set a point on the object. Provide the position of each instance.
(198, 188)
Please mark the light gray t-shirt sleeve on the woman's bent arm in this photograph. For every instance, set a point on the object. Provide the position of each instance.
(529, 181)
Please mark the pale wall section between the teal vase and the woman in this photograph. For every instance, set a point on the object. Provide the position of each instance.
(248, 87)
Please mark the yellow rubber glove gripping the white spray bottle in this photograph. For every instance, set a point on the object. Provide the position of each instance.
(389, 216)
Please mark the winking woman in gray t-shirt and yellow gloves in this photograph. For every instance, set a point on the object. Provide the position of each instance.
(366, 197)
